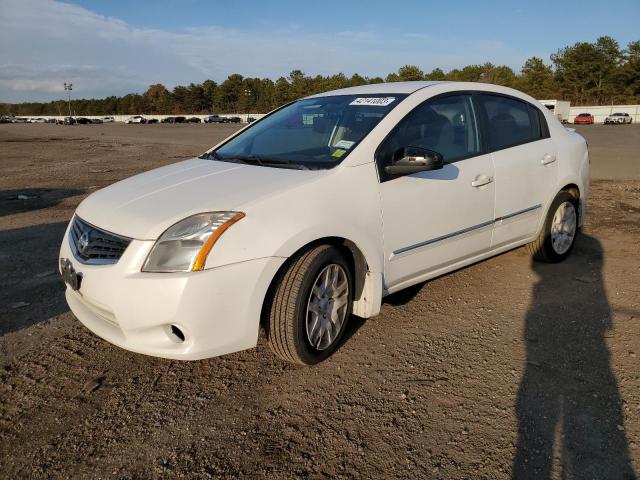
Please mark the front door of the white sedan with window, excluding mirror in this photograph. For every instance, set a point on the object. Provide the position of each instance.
(434, 219)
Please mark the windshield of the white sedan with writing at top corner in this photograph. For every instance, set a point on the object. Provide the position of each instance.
(309, 134)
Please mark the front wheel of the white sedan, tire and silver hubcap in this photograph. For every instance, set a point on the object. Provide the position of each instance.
(291, 316)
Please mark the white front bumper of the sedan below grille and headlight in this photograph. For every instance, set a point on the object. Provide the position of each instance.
(217, 310)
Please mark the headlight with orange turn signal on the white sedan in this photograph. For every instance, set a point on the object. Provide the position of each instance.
(185, 246)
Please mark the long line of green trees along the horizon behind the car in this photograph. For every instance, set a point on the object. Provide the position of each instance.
(598, 73)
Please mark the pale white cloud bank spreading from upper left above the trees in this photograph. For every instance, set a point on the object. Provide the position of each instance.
(44, 43)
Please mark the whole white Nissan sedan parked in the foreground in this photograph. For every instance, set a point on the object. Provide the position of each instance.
(316, 212)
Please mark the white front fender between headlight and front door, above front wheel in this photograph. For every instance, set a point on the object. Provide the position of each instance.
(344, 204)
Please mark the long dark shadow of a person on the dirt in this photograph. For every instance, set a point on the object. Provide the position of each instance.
(569, 408)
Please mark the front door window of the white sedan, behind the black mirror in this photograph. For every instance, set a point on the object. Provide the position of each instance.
(446, 125)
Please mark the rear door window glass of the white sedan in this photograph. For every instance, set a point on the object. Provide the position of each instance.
(510, 122)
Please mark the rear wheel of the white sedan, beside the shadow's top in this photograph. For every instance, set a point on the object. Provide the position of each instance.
(555, 247)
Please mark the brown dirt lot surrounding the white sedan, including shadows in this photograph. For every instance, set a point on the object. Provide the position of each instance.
(506, 368)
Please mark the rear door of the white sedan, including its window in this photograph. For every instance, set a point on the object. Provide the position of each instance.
(525, 161)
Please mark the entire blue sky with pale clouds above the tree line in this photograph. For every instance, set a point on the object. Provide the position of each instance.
(117, 46)
